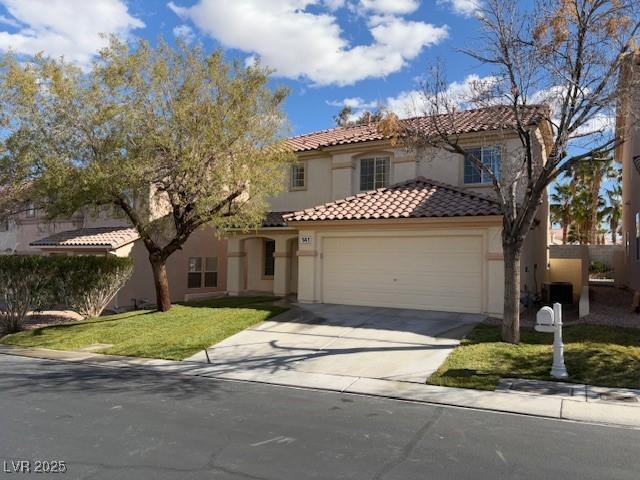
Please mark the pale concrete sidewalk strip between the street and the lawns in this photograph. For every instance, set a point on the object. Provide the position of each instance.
(589, 407)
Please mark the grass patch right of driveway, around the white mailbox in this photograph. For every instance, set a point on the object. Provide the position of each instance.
(595, 355)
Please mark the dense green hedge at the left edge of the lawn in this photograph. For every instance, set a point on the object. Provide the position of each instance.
(84, 284)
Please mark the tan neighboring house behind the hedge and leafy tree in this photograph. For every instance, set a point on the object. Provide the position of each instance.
(197, 270)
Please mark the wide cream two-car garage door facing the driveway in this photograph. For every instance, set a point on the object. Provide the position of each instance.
(434, 273)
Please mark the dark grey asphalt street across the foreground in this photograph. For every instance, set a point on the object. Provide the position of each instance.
(107, 423)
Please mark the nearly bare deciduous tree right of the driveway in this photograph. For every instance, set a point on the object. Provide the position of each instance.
(566, 54)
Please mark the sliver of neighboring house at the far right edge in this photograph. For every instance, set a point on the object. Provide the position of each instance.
(628, 153)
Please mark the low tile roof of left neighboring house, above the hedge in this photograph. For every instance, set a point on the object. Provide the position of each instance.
(109, 237)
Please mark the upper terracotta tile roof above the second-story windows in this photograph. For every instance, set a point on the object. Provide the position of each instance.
(467, 121)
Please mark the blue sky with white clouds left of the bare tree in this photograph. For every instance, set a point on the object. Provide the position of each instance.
(366, 51)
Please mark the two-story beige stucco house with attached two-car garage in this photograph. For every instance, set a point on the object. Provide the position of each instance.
(364, 222)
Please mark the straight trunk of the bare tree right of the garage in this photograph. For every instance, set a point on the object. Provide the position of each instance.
(511, 321)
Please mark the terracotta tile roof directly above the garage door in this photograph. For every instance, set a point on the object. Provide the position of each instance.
(418, 198)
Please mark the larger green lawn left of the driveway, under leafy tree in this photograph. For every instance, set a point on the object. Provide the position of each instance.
(174, 335)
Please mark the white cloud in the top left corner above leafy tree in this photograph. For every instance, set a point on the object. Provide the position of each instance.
(69, 28)
